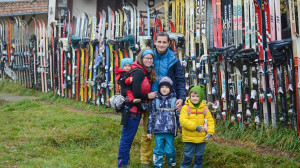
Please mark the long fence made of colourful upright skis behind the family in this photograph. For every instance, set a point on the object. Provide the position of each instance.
(235, 50)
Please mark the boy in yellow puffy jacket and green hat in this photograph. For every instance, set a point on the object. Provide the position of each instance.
(198, 126)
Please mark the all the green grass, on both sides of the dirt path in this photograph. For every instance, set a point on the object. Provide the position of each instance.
(38, 134)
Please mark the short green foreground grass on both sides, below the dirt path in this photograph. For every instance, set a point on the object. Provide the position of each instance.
(34, 134)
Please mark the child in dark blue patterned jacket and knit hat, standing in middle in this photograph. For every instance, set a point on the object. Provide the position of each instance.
(163, 123)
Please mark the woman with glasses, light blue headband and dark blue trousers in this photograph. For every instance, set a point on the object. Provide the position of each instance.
(141, 85)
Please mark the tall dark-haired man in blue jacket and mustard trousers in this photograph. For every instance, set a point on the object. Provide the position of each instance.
(165, 64)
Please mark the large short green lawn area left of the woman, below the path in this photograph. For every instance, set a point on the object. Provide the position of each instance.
(41, 135)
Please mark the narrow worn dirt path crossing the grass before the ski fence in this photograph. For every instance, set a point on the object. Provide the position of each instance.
(258, 148)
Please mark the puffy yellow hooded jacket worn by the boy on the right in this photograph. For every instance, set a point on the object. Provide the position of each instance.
(190, 122)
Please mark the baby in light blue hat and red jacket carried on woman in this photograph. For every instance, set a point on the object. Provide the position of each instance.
(122, 76)
